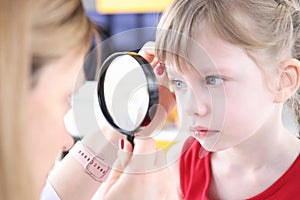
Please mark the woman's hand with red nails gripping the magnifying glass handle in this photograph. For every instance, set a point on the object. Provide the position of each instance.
(140, 173)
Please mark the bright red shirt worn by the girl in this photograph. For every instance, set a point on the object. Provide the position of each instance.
(195, 173)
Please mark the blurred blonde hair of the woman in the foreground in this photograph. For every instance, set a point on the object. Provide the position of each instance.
(32, 34)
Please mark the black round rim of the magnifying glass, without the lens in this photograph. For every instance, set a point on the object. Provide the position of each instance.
(152, 90)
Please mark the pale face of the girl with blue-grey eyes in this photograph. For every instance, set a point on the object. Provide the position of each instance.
(224, 100)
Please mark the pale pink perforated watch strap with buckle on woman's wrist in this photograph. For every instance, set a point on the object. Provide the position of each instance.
(93, 164)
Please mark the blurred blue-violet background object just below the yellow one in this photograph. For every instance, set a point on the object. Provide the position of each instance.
(121, 32)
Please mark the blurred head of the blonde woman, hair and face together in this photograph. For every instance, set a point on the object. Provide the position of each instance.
(43, 44)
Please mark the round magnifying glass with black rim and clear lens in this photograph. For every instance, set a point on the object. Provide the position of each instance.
(127, 92)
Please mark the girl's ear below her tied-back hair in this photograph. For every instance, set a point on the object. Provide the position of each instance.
(289, 80)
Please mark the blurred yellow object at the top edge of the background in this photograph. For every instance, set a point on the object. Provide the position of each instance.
(131, 6)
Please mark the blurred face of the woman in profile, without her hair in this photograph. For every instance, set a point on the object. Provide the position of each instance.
(49, 100)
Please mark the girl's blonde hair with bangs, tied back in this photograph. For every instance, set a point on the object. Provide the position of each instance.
(268, 30)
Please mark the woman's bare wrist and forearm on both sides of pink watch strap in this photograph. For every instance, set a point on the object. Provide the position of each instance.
(69, 178)
